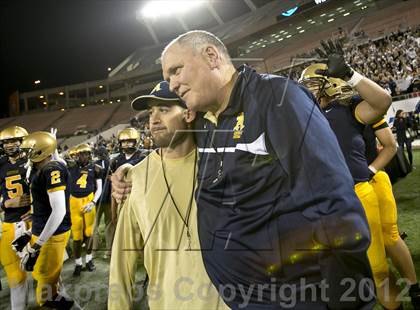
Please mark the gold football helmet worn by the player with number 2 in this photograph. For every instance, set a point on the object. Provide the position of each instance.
(39, 145)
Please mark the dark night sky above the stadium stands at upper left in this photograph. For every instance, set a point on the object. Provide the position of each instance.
(64, 42)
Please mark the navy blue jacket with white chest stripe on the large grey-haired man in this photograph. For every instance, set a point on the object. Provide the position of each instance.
(276, 202)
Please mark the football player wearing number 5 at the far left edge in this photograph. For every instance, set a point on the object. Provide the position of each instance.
(16, 203)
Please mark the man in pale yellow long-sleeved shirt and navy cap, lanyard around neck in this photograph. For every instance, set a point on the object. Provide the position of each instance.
(159, 218)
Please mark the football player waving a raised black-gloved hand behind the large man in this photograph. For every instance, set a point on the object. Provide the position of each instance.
(348, 115)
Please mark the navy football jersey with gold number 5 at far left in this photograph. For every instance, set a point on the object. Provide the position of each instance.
(13, 184)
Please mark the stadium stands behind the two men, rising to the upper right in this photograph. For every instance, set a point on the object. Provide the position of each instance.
(254, 35)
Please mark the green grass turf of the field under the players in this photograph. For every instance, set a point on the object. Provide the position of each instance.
(407, 194)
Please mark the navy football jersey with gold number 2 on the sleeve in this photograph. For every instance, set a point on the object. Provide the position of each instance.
(54, 176)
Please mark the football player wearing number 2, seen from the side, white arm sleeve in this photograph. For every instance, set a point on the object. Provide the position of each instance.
(50, 220)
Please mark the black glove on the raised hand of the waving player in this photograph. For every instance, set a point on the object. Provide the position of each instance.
(337, 66)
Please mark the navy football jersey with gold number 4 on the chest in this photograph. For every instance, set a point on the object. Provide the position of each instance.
(83, 179)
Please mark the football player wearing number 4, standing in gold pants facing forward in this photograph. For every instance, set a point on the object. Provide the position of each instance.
(86, 189)
